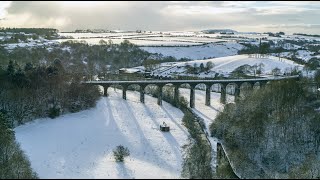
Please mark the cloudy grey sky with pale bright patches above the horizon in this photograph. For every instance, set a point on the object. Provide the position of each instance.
(168, 15)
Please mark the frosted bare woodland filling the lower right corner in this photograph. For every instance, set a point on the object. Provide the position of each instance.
(274, 132)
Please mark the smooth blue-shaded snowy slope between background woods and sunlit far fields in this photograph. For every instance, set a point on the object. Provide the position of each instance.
(198, 52)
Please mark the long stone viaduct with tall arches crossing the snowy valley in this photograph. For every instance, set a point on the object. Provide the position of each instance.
(192, 83)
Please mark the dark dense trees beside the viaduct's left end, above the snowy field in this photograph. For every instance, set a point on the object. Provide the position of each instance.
(32, 91)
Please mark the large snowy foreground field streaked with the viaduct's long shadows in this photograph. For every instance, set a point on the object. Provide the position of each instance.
(80, 145)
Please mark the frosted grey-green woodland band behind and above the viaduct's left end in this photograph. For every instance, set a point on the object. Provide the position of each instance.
(77, 55)
